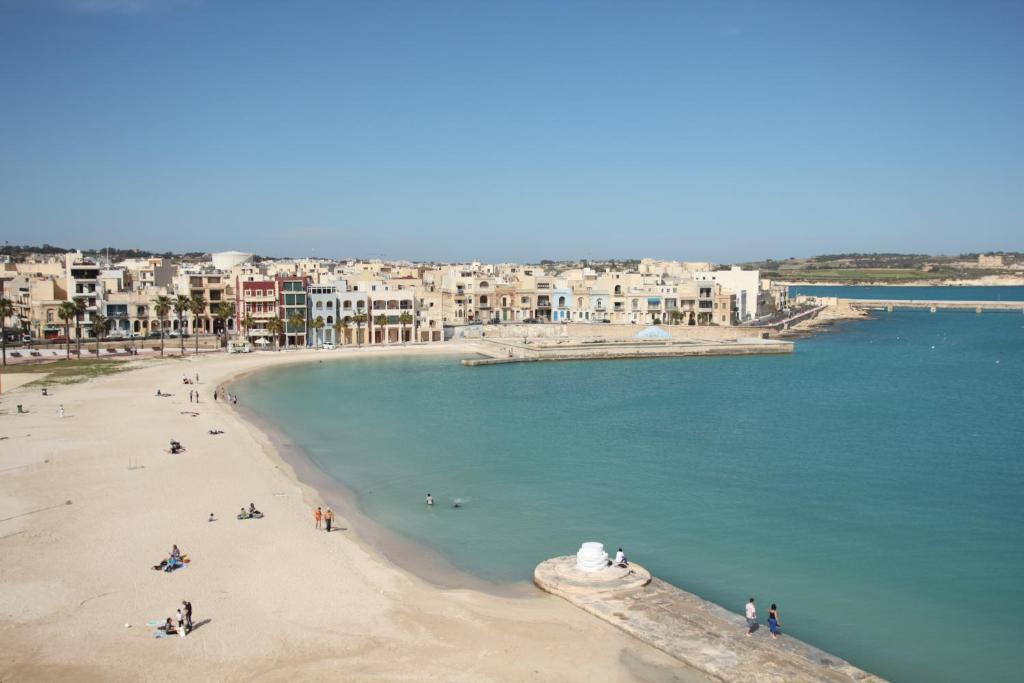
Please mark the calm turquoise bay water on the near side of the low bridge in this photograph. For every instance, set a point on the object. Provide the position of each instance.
(871, 484)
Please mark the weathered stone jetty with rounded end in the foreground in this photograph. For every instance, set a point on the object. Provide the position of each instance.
(699, 633)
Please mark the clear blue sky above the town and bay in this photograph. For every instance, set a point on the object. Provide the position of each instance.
(514, 131)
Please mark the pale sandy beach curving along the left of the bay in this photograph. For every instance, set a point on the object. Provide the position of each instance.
(274, 599)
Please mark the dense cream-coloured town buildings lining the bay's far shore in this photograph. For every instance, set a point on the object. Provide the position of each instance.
(320, 302)
